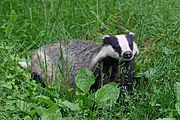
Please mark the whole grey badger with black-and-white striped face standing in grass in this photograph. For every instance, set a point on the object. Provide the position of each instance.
(114, 58)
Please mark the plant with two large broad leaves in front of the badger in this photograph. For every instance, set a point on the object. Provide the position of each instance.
(107, 93)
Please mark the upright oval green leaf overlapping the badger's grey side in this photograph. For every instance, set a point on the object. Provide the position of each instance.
(84, 80)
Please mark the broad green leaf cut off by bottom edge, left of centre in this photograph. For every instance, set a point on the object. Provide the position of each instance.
(53, 113)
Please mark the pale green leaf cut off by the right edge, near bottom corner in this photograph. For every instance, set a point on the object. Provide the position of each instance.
(178, 97)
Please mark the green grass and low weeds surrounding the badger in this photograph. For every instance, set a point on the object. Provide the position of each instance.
(26, 25)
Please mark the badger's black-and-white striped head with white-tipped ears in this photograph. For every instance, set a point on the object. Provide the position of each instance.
(120, 46)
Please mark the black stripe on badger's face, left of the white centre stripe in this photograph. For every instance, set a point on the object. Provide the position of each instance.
(113, 41)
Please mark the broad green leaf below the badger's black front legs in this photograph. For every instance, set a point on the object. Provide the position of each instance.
(107, 92)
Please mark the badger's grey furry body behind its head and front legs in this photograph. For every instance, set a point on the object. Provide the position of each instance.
(65, 59)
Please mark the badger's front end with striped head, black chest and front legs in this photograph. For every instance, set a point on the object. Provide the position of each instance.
(116, 57)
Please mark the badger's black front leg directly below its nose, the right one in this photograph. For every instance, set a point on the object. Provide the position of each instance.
(128, 75)
